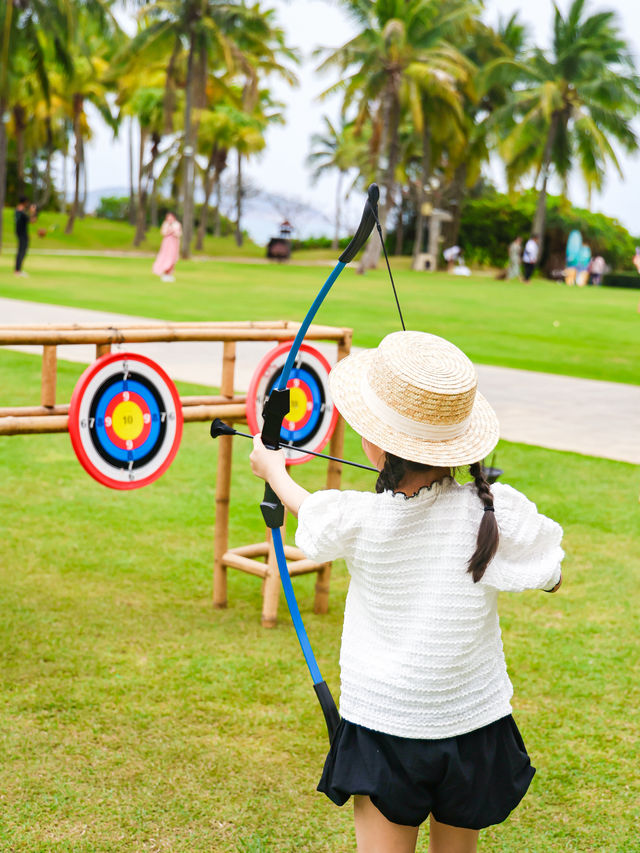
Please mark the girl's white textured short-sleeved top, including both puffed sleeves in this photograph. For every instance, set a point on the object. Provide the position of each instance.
(421, 652)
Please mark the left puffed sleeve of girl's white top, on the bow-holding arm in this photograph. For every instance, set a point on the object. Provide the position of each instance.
(327, 524)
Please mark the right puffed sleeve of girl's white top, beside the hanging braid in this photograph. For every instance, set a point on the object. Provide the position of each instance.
(529, 553)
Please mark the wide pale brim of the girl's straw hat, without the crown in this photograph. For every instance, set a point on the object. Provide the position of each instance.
(478, 439)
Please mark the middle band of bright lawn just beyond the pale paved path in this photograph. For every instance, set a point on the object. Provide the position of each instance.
(586, 332)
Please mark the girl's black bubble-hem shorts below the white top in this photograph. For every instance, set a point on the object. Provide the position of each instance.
(472, 780)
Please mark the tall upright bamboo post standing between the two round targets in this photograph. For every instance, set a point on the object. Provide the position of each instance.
(223, 485)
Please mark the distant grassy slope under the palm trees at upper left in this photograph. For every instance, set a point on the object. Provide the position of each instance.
(92, 234)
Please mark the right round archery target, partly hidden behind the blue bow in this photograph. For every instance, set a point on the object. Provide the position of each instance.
(312, 418)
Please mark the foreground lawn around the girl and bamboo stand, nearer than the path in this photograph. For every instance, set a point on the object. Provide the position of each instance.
(134, 717)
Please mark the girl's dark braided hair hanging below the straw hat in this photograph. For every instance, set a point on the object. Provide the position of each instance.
(392, 474)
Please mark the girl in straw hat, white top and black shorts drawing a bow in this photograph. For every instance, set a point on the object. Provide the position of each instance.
(426, 725)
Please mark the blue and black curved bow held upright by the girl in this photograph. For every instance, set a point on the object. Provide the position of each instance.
(273, 414)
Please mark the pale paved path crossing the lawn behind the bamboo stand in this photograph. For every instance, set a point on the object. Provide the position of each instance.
(560, 412)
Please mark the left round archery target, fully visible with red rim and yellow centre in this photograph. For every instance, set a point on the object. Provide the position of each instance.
(125, 420)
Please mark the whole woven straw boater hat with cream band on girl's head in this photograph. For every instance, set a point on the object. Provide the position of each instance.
(415, 396)
